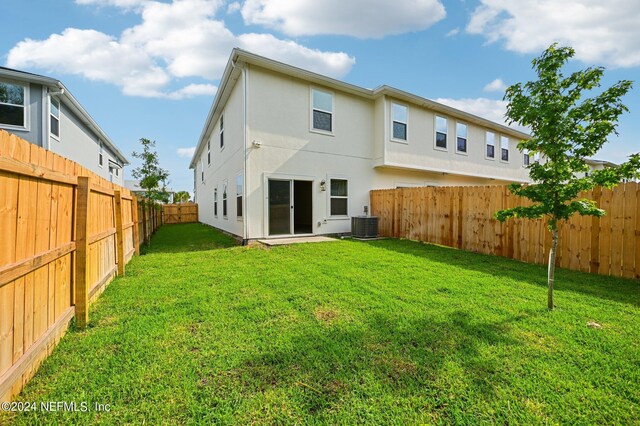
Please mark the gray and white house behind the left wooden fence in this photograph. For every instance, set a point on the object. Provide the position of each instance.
(42, 111)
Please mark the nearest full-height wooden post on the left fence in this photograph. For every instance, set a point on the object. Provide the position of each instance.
(82, 251)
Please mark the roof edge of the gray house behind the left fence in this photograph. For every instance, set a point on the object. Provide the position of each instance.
(68, 100)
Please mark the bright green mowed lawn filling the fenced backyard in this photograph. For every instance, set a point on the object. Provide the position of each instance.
(384, 332)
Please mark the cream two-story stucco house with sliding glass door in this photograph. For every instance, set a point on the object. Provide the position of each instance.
(285, 151)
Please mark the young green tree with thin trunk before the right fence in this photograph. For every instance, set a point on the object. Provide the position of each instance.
(566, 129)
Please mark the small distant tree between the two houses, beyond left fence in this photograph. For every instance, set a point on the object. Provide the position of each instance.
(153, 179)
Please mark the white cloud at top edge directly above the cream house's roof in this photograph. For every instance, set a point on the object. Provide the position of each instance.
(358, 18)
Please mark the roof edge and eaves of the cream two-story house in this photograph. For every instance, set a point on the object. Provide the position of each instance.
(232, 73)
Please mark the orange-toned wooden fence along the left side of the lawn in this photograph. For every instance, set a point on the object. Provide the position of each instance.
(64, 233)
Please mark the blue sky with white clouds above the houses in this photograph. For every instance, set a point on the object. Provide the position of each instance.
(151, 68)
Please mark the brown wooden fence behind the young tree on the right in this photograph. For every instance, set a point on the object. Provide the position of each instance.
(462, 217)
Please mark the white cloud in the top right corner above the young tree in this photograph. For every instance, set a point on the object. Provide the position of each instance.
(600, 32)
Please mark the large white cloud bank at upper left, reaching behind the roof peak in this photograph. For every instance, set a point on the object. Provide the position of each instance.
(181, 39)
